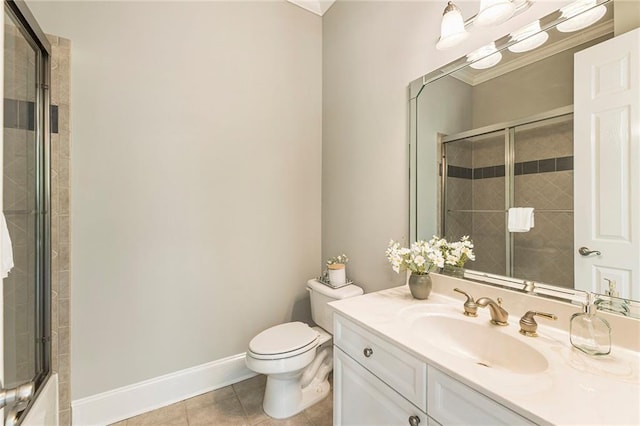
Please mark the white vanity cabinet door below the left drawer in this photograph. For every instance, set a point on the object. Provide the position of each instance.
(360, 398)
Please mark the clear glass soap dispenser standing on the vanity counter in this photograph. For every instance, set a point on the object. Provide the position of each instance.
(589, 332)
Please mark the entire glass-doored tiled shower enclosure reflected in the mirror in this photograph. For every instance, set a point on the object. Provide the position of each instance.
(528, 163)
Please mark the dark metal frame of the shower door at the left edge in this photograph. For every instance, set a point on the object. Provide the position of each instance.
(39, 42)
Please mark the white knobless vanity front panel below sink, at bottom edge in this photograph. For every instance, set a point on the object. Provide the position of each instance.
(451, 402)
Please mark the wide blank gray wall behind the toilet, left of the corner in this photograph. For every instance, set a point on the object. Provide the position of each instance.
(196, 164)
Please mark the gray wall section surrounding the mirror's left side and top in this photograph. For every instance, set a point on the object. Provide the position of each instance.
(371, 51)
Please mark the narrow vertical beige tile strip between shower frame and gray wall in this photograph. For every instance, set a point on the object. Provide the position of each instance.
(60, 224)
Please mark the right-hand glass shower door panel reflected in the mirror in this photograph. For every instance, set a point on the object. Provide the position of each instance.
(544, 180)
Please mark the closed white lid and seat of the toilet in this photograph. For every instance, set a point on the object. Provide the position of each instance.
(285, 340)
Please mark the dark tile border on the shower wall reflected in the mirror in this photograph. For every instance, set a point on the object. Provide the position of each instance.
(547, 165)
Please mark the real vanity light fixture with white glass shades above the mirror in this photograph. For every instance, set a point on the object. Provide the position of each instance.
(454, 28)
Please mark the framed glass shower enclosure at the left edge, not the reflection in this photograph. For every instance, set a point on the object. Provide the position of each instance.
(26, 290)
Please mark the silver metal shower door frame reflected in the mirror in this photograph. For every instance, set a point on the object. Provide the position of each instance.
(509, 129)
